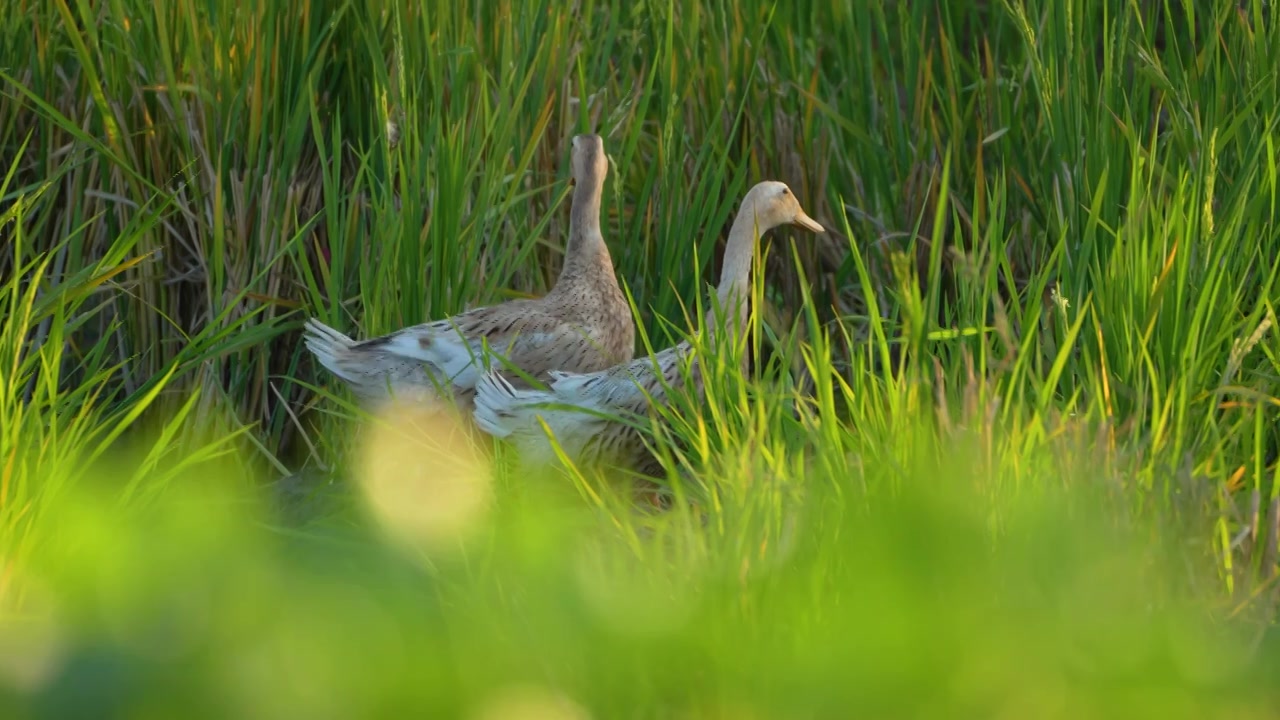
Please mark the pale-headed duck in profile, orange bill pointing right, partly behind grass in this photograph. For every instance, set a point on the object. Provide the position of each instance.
(593, 416)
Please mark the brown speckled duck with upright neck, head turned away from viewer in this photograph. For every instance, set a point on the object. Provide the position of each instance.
(583, 325)
